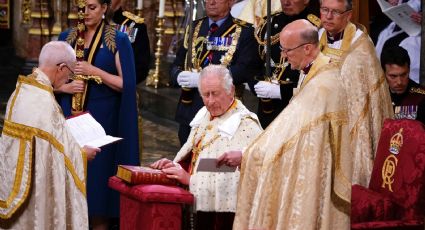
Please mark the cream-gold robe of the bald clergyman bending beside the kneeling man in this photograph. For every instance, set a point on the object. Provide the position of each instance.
(297, 173)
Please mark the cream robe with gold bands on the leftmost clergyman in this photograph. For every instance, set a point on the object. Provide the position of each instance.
(42, 168)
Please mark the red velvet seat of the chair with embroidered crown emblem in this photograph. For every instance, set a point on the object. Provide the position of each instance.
(367, 205)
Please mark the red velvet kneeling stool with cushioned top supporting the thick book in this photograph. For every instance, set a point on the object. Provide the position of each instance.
(150, 206)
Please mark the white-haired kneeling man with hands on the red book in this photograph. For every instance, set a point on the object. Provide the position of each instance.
(223, 124)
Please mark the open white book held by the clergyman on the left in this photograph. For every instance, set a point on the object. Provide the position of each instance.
(87, 131)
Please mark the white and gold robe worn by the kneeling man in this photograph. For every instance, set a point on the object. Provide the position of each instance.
(234, 130)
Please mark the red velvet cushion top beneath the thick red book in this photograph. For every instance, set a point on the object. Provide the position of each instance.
(152, 192)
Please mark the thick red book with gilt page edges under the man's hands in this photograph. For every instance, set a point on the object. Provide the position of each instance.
(143, 175)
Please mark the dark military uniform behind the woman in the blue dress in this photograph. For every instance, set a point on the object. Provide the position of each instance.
(135, 28)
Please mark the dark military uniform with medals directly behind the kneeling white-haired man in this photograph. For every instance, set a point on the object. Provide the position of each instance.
(244, 65)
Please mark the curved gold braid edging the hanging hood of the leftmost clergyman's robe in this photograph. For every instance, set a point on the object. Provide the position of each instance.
(18, 180)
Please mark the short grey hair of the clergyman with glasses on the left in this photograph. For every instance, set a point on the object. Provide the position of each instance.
(56, 52)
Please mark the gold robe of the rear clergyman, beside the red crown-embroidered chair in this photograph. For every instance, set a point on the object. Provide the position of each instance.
(368, 99)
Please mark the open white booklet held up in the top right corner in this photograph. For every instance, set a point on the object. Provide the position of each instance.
(400, 15)
